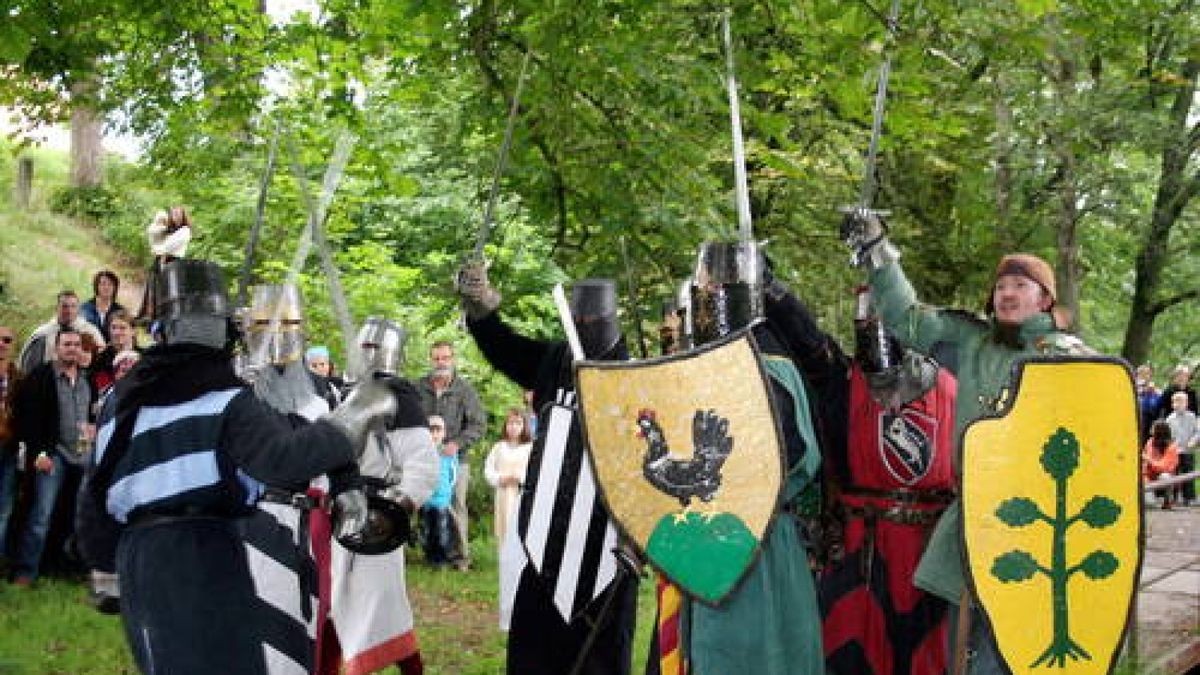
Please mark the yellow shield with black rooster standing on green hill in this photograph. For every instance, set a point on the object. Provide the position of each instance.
(688, 457)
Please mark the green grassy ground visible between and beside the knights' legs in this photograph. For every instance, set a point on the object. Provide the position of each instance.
(51, 630)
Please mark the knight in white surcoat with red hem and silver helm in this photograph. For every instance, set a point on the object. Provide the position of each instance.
(370, 619)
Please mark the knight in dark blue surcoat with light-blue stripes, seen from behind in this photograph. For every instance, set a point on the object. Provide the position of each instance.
(185, 451)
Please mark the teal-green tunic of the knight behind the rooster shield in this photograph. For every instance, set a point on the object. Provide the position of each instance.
(771, 625)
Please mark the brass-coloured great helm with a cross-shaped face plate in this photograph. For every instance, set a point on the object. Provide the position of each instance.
(274, 326)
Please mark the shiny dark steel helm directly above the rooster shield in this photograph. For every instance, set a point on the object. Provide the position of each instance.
(727, 289)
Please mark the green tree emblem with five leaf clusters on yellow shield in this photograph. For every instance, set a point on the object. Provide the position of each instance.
(1060, 458)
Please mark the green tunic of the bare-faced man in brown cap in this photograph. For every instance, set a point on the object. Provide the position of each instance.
(985, 383)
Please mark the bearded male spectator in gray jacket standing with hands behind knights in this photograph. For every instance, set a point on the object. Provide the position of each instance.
(446, 395)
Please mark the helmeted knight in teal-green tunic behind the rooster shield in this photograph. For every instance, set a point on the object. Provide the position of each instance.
(770, 624)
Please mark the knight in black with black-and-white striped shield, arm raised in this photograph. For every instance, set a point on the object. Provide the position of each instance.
(598, 636)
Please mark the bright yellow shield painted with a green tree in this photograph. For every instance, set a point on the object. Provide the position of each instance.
(1052, 518)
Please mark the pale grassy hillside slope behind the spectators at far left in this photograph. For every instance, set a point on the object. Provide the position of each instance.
(43, 254)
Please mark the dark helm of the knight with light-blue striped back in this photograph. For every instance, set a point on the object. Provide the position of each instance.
(193, 306)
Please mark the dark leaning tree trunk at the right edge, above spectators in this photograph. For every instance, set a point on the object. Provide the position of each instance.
(1175, 190)
